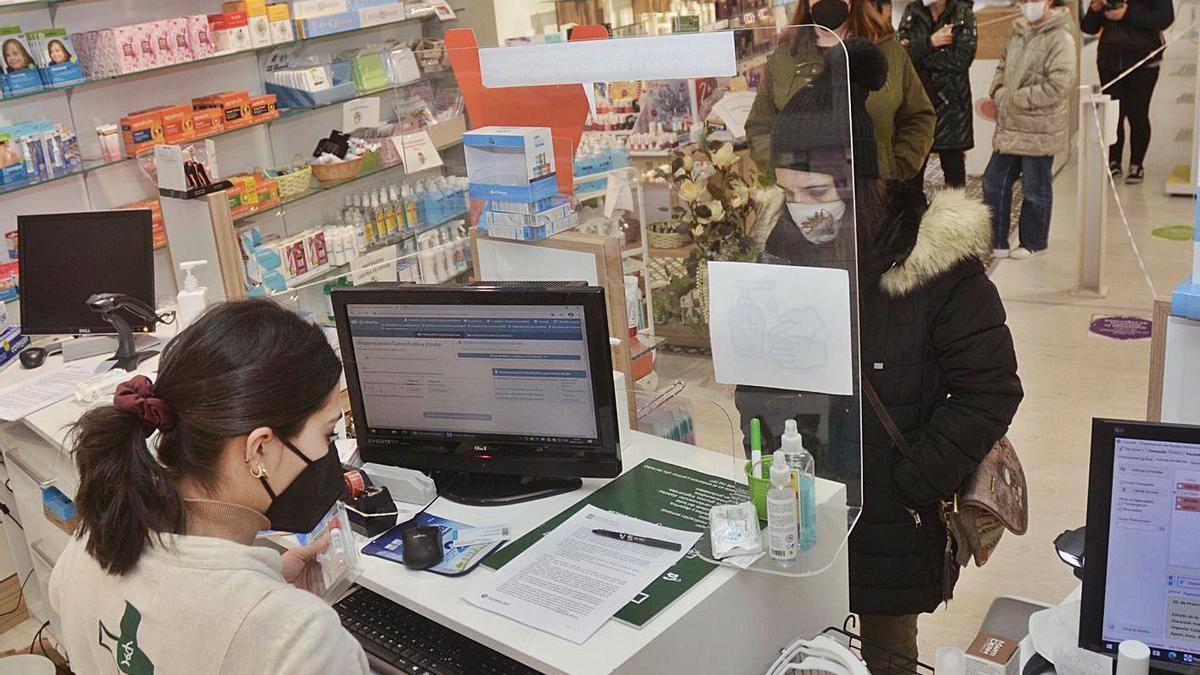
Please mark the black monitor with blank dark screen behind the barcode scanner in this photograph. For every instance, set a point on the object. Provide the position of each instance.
(68, 258)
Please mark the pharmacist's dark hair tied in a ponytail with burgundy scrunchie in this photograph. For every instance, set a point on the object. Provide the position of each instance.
(241, 367)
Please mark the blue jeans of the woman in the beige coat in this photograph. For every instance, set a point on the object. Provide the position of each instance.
(1037, 182)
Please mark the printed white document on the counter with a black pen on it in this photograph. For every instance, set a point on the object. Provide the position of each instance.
(573, 581)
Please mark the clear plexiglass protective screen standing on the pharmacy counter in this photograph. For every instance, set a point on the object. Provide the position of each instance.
(716, 206)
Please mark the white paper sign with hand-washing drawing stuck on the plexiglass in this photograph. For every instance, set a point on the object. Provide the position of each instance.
(782, 326)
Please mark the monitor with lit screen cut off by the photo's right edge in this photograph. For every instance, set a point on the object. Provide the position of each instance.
(1142, 574)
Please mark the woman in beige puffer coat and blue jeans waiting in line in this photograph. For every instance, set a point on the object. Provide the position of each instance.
(1030, 98)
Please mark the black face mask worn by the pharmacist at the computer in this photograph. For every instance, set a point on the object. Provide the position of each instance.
(302, 505)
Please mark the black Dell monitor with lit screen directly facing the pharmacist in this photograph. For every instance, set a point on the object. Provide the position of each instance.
(506, 391)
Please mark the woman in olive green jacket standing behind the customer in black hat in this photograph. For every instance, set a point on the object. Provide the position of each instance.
(902, 112)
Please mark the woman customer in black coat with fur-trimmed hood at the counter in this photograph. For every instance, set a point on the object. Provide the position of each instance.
(933, 343)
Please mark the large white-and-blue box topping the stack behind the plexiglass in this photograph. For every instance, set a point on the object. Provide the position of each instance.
(512, 164)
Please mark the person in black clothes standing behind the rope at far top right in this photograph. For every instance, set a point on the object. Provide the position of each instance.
(1131, 31)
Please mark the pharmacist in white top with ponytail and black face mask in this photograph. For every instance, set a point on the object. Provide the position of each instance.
(178, 476)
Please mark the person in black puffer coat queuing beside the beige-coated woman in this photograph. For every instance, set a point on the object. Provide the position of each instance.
(941, 40)
